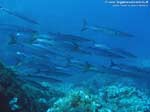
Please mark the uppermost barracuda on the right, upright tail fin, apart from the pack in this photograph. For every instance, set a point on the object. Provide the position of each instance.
(105, 30)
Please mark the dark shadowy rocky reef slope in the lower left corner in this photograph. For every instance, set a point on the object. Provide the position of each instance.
(19, 96)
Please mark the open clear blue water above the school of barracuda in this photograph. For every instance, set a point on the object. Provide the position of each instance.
(67, 16)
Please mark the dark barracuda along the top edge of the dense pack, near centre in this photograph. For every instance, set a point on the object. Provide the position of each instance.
(69, 37)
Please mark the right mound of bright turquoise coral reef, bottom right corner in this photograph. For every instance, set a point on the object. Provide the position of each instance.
(123, 99)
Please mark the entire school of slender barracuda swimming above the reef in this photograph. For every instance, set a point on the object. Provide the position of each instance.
(51, 55)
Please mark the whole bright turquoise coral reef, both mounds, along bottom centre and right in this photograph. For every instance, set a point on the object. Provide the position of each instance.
(110, 99)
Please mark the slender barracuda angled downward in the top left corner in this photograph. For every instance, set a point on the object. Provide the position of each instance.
(29, 20)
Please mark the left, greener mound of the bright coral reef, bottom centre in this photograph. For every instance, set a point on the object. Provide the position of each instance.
(76, 101)
